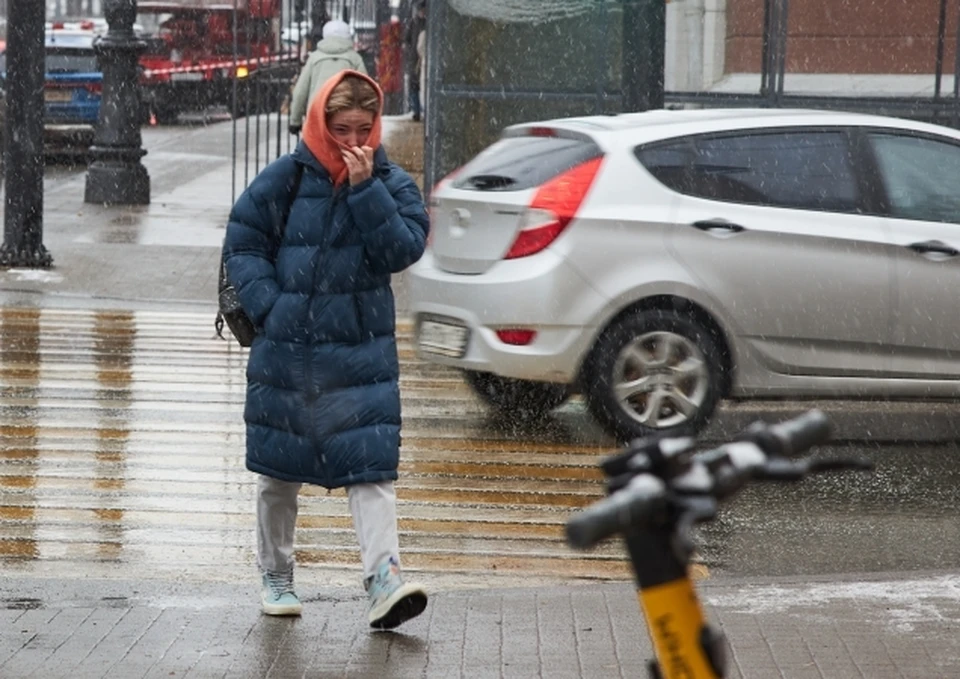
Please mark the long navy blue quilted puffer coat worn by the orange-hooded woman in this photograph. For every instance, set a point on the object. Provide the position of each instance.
(323, 400)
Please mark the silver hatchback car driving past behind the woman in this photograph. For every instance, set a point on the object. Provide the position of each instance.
(658, 262)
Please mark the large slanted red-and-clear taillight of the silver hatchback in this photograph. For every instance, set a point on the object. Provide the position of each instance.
(553, 208)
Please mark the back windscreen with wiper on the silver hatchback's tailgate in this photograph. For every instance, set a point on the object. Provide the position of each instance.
(520, 163)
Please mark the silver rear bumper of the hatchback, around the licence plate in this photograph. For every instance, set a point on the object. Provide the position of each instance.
(541, 293)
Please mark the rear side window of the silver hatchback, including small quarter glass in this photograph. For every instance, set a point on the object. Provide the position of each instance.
(807, 170)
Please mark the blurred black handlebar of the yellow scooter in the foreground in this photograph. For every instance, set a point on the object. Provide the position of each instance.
(669, 481)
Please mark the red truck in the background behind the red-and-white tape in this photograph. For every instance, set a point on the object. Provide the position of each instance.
(197, 51)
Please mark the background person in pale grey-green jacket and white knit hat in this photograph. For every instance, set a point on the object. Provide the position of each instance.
(333, 54)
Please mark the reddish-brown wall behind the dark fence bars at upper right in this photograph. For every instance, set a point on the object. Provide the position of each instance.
(845, 36)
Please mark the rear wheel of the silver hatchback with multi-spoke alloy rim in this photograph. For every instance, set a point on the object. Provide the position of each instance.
(655, 372)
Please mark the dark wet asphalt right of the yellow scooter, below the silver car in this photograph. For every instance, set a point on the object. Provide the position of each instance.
(900, 517)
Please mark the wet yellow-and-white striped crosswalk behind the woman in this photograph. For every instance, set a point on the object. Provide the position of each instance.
(122, 443)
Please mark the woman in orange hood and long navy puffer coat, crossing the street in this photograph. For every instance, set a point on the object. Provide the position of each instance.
(323, 400)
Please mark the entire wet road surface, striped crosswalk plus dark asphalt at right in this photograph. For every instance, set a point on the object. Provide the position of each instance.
(121, 447)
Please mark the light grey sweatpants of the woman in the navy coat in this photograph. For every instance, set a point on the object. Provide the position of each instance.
(374, 510)
